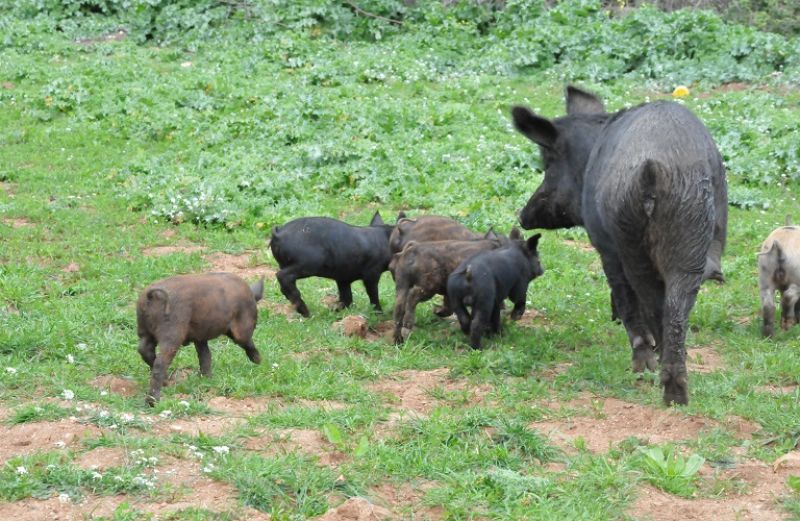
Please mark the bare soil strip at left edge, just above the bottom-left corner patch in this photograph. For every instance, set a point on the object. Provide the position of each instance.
(28, 438)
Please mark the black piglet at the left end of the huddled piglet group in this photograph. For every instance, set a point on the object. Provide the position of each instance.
(324, 247)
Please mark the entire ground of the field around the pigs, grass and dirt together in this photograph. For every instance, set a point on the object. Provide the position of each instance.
(129, 156)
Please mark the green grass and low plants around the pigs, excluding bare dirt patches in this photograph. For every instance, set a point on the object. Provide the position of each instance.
(97, 140)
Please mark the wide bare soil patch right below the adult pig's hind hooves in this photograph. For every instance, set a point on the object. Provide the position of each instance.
(613, 420)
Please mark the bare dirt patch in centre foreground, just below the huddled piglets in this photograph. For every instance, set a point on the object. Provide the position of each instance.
(411, 389)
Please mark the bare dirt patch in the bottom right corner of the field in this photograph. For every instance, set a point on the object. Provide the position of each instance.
(762, 488)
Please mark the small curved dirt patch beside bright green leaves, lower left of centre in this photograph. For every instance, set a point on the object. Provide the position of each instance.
(306, 441)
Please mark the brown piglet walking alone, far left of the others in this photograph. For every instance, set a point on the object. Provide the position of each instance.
(178, 310)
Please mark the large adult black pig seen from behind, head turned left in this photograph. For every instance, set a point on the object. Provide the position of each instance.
(649, 186)
